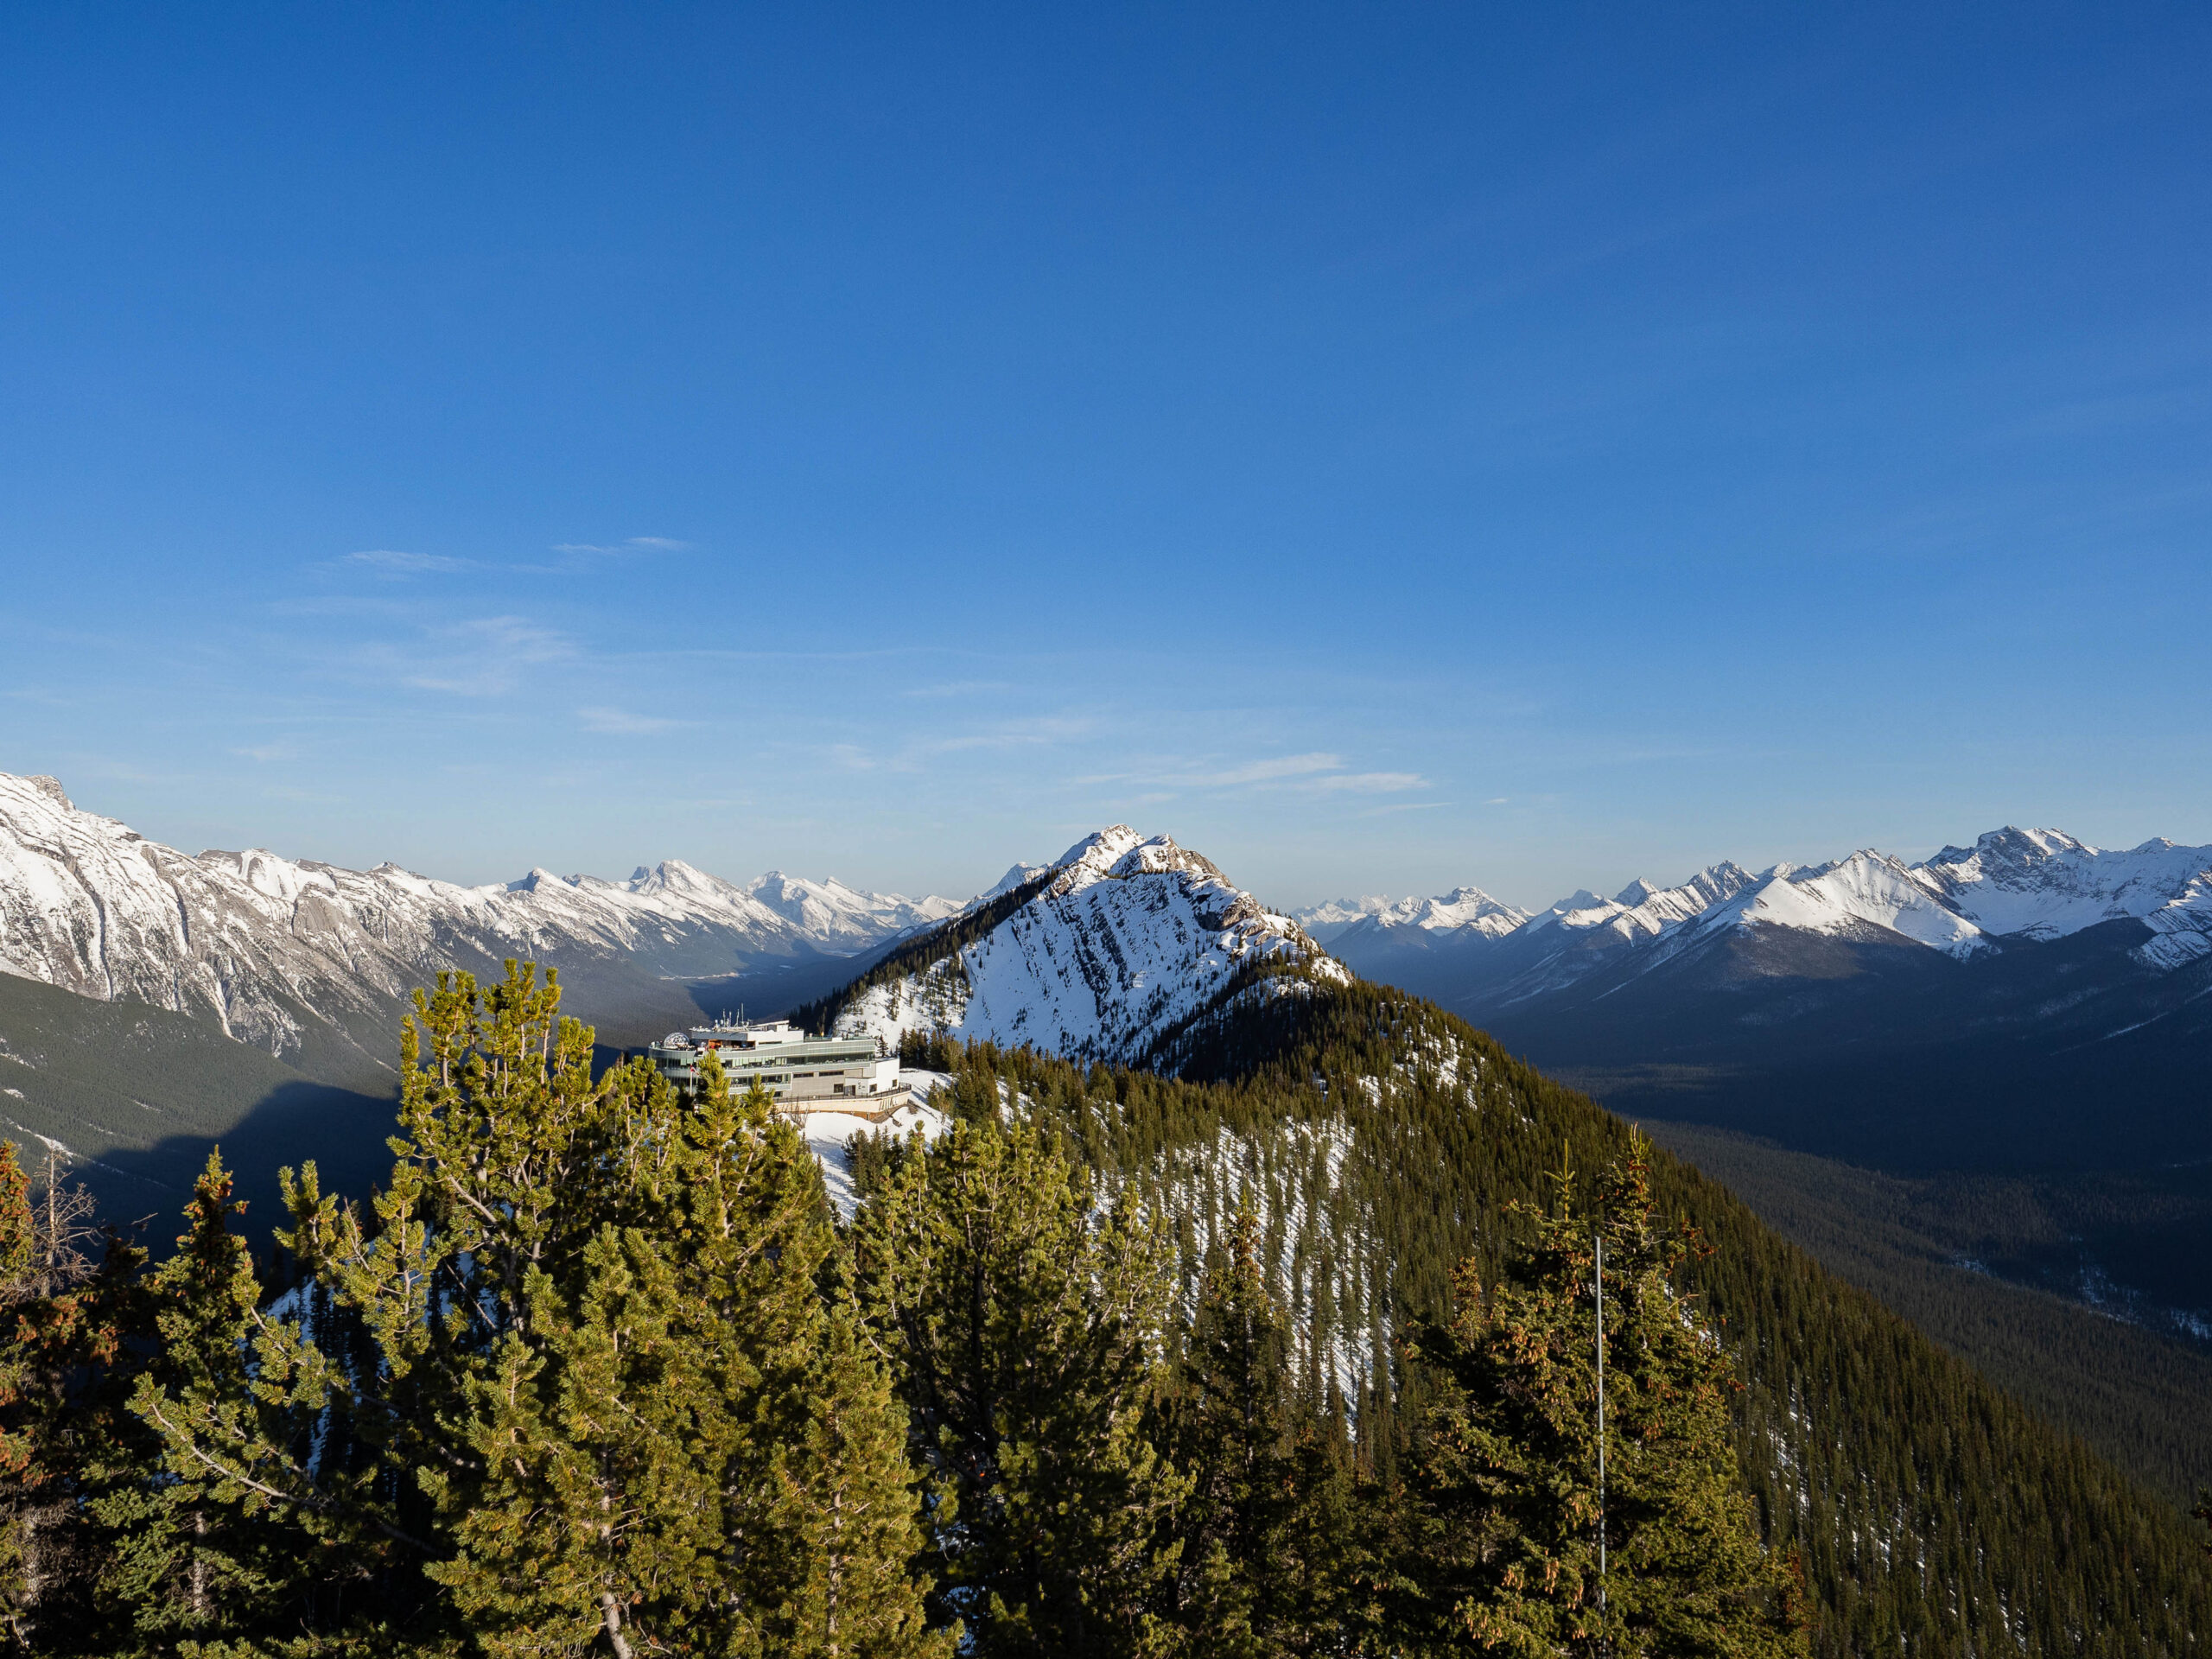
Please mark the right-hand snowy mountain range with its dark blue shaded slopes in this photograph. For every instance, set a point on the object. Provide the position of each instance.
(2023, 1003)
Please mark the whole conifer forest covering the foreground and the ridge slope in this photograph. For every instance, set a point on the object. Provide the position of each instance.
(1295, 1353)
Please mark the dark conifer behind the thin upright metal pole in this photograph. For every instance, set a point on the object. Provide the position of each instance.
(1514, 1545)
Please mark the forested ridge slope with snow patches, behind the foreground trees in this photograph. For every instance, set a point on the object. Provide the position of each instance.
(1388, 1140)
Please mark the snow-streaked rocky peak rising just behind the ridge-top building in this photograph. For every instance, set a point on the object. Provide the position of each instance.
(1123, 943)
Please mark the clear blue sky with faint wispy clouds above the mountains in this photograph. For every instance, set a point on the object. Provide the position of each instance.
(1384, 448)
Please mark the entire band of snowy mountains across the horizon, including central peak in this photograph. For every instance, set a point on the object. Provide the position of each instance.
(2027, 1003)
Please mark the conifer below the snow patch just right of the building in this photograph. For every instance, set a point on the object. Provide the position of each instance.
(1025, 1335)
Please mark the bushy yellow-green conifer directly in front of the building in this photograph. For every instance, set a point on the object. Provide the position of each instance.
(687, 1452)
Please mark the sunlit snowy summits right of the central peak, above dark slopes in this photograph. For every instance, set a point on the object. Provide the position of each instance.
(1965, 901)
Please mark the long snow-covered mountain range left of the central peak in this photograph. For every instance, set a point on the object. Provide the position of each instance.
(273, 948)
